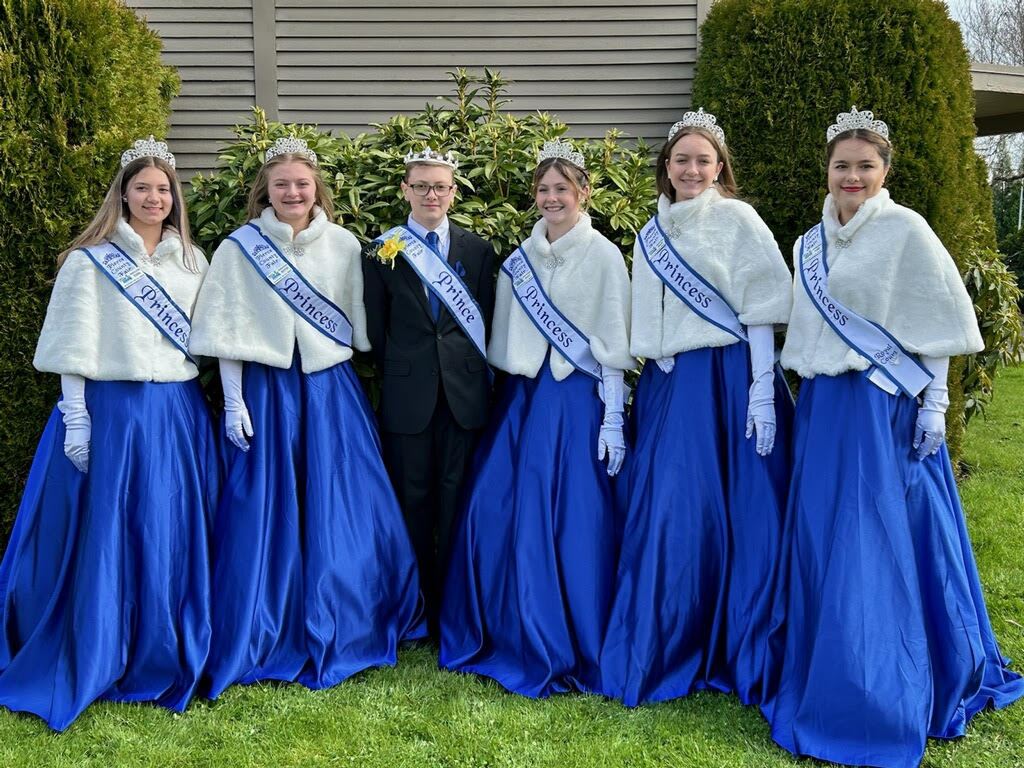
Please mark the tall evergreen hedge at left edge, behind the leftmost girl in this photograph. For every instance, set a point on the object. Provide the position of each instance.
(79, 81)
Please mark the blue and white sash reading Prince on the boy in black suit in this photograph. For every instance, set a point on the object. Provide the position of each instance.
(440, 278)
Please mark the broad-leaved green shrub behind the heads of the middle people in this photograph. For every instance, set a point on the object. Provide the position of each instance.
(497, 153)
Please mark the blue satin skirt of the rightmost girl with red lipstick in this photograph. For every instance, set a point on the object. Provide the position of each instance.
(881, 637)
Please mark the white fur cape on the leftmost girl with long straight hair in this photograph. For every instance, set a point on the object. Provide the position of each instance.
(93, 330)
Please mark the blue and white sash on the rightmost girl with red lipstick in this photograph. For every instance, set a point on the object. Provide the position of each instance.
(867, 338)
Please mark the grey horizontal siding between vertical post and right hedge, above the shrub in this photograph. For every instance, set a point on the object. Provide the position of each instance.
(596, 65)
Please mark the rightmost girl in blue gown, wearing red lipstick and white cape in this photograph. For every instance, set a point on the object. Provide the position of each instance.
(880, 634)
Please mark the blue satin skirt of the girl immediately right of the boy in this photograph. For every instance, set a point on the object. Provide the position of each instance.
(533, 559)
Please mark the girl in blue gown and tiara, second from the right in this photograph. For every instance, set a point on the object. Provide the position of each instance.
(704, 494)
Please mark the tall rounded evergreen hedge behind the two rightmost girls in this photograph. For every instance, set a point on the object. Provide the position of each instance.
(777, 73)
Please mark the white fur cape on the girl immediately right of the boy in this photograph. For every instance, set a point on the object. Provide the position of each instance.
(591, 288)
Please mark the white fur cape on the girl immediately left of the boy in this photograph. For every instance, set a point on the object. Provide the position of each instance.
(239, 317)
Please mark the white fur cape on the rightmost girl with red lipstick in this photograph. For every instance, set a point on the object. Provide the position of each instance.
(894, 272)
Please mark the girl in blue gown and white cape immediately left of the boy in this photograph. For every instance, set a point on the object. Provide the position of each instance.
(315, 578)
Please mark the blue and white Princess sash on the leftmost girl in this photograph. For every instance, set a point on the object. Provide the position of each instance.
(145, 293)
